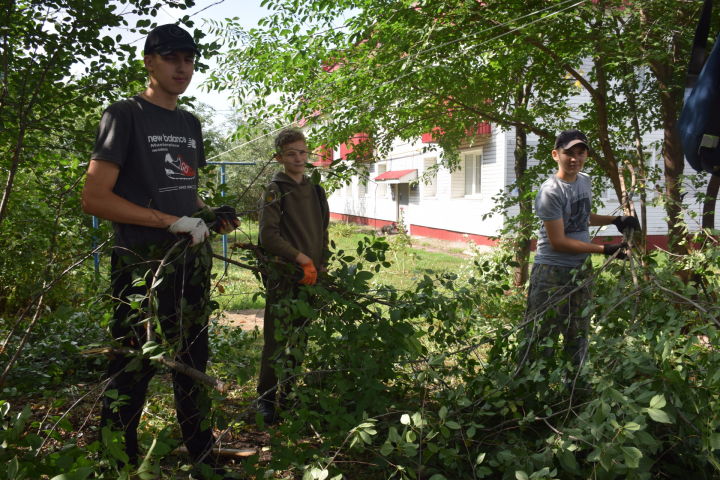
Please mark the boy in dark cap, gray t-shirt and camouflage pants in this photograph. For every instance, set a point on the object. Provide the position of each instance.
(559, 289)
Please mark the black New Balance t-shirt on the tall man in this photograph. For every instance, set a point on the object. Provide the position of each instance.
(159, 152)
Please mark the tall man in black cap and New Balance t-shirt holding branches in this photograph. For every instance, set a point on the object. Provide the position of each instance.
(143, 176)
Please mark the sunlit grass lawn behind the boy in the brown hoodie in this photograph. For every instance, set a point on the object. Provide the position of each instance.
(238, 289)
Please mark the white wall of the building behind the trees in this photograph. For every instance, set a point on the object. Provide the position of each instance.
(449, 208)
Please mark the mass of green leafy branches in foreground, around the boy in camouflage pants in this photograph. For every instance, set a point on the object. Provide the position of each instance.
(436, 393)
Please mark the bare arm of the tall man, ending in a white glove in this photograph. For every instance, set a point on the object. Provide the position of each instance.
(99, 199)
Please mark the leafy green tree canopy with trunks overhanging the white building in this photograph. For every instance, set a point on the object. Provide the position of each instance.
(397, 69)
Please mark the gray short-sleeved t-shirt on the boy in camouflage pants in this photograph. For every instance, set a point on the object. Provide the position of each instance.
(571, 202)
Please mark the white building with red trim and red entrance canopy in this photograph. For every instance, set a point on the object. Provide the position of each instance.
(407, 186)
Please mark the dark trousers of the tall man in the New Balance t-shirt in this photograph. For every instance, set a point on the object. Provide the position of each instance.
(183, 312)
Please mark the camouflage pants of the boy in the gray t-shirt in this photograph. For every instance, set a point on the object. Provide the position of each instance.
(556, 300)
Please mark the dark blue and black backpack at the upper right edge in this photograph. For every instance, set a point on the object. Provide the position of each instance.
(699, 122)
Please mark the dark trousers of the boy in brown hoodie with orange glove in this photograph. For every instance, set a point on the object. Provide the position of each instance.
(284, 340)
